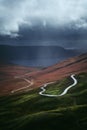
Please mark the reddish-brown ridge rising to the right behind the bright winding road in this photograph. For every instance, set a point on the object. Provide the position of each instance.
(63, 69)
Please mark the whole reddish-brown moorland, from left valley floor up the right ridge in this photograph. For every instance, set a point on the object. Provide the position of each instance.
(75, 65)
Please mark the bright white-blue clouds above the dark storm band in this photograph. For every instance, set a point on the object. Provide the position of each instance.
(57, 13)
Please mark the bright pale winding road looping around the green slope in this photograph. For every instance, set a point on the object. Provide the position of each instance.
(63, 93)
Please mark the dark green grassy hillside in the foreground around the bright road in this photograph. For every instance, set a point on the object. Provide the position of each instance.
(32, 111)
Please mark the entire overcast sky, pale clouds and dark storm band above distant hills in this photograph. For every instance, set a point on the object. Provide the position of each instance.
(43, 19)
